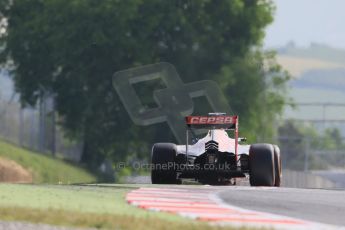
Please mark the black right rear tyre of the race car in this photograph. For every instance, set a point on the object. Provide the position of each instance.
(261, 165)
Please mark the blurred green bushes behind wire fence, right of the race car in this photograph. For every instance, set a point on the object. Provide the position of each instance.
(307, 148)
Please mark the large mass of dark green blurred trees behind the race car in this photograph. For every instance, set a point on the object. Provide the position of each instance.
(71, 48)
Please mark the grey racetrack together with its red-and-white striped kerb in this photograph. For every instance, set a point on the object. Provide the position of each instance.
(245, 206)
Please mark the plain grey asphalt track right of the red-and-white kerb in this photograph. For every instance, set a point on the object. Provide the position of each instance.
(317, 205)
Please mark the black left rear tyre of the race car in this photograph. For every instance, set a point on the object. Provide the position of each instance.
(163, 162)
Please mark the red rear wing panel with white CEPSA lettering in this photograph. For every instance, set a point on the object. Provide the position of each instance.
(212, 122)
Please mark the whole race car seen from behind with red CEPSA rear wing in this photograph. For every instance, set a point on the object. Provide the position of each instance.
(216, 158)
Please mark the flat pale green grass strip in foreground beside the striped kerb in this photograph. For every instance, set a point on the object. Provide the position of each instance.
(84, 206)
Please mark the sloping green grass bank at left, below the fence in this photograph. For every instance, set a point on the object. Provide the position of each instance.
(46, 169)
